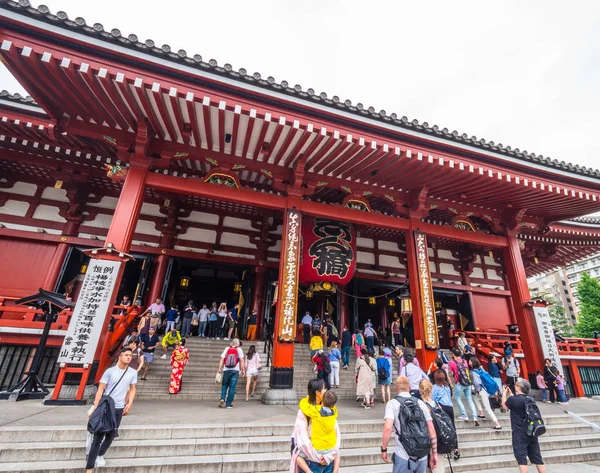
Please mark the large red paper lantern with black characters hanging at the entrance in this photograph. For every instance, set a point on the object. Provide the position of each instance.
(328, 251)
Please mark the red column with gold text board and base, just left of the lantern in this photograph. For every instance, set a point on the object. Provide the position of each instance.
(282, 371)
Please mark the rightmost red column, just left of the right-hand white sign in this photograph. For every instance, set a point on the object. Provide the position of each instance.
(519, 289)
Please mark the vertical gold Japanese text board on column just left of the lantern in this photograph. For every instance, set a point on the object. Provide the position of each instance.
(289, 266)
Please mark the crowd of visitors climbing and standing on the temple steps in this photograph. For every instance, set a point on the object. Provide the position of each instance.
(421, 416)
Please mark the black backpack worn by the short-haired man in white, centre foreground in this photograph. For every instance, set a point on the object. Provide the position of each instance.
(413, 434)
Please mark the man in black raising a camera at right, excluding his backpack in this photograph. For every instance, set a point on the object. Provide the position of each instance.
(523, 445)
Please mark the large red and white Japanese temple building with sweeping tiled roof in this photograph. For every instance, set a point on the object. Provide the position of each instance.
(195, 180)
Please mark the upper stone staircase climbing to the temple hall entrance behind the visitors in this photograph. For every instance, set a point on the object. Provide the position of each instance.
(199, 375)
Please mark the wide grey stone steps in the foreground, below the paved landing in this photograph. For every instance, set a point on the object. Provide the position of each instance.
(262, 448)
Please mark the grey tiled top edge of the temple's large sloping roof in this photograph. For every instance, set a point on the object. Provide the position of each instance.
(165, 51)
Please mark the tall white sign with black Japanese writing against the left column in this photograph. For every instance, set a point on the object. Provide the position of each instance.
(95, 298)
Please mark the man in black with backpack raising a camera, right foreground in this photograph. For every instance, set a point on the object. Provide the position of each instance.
(527, 425)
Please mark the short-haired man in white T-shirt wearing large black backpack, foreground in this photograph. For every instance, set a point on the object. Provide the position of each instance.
(411, 421)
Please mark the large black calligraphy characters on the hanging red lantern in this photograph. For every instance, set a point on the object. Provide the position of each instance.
(332, 252)
